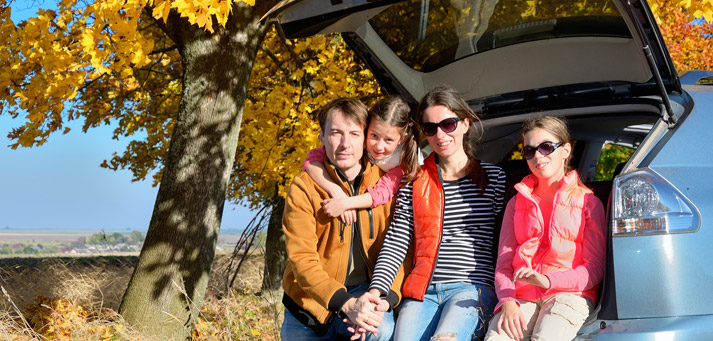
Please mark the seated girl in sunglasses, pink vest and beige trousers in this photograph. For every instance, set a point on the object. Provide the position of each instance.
(551, 252)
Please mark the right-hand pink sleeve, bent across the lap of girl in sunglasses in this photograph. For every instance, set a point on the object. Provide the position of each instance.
(590, 271)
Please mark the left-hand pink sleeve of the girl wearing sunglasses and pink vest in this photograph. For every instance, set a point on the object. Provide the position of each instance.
(504, 287)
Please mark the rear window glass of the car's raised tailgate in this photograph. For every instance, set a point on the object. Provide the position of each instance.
(428, 34)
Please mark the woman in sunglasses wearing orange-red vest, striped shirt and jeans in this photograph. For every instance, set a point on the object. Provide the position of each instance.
(447, 214)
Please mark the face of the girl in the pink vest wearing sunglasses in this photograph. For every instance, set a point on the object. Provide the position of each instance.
(546, 167)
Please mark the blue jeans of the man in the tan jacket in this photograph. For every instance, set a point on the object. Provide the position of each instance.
(292, 329)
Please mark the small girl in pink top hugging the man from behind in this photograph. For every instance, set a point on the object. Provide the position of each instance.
(391, 144)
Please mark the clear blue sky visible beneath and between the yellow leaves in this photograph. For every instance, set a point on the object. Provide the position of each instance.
(60, 185)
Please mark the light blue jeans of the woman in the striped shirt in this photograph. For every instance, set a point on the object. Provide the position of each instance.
(460, 310)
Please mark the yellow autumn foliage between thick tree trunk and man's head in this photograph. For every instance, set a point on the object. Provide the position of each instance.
(290, 81)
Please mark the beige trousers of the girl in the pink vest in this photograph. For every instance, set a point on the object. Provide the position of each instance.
(555, 318)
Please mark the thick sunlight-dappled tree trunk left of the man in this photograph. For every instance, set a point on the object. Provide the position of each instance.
(167, 287)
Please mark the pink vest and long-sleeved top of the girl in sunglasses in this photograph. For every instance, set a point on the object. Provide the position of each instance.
(565, 242)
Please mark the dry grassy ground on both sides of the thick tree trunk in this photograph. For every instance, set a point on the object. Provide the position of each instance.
(78, 298)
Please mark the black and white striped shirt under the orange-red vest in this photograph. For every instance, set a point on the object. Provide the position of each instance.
(465, 254)
